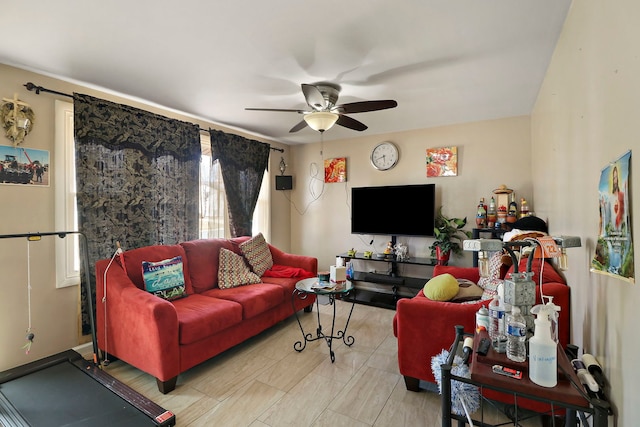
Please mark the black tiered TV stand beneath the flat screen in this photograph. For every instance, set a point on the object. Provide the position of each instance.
(396, 286)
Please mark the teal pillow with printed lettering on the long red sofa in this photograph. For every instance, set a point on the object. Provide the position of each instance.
(165, 278)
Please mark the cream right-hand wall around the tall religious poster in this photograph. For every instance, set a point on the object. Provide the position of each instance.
(586, 116)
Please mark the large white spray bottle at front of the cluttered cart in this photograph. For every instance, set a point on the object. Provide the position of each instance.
(543, 353)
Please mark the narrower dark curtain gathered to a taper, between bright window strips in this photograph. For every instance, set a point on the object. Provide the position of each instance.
(242, 162)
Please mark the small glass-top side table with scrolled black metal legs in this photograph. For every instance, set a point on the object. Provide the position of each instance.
(306, 287)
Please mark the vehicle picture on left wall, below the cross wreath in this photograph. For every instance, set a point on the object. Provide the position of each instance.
(24, 166)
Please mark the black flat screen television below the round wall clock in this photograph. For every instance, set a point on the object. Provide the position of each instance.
(400, 210)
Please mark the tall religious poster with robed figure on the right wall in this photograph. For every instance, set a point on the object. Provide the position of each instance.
(614, 250)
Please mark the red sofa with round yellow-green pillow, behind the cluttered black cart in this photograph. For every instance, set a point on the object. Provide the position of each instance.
(424, 327)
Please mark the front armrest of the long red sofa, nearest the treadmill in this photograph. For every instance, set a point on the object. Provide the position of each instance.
(134, 325)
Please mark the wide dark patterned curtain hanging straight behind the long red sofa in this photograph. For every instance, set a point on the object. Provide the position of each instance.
(137, 178)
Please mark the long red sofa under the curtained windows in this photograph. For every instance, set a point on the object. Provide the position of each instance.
(165, 338)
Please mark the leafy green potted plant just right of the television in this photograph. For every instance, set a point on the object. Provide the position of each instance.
(449, 235)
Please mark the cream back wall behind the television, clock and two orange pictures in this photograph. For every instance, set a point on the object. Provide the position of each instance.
(490, 153)
